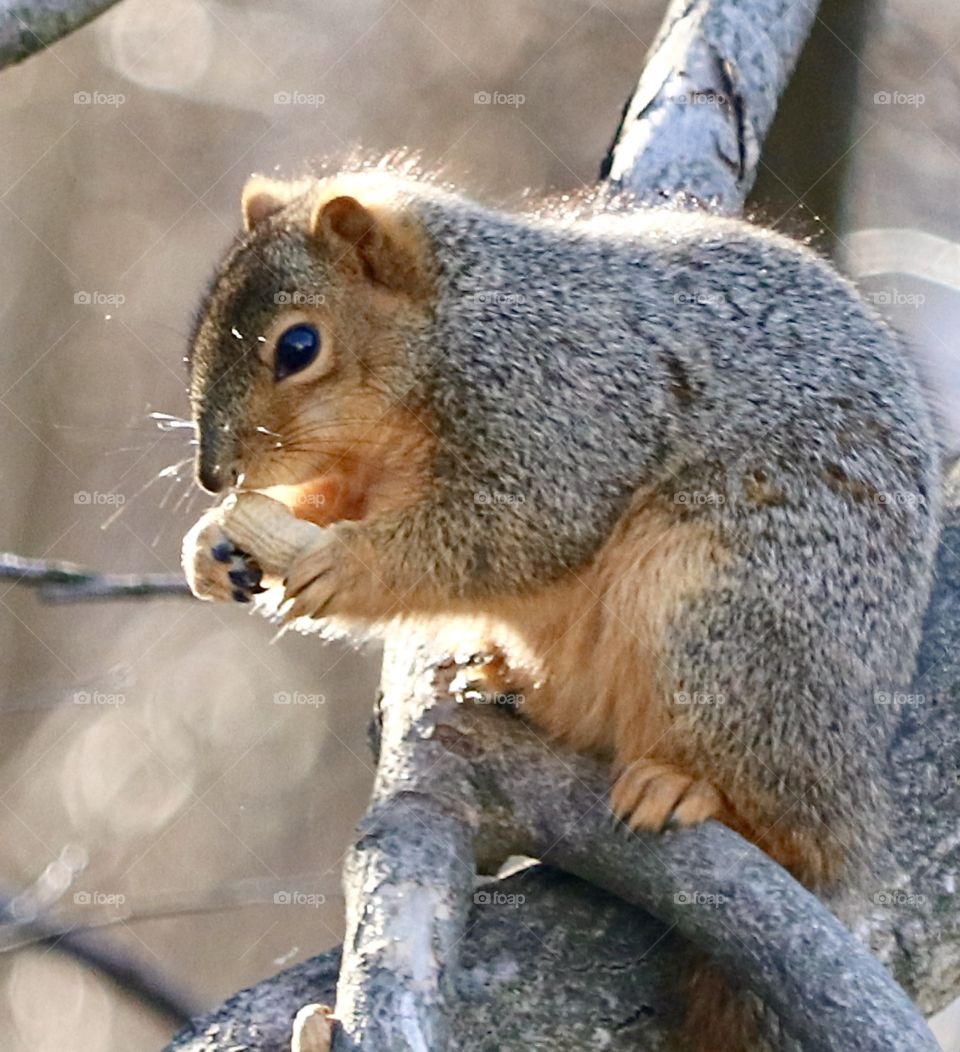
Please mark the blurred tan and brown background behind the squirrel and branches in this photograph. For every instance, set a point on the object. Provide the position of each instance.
(167, 768)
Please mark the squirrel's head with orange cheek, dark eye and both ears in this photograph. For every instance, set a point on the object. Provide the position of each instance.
(297, 355)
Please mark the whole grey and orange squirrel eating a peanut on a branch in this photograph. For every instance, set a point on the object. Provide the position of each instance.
(683, 479)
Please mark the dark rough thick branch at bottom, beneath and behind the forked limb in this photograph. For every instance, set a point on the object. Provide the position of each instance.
(533, 962)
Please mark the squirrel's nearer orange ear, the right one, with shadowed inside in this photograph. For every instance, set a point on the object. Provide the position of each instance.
(383, 248)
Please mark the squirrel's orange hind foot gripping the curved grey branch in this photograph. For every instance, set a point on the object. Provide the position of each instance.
(653, 797)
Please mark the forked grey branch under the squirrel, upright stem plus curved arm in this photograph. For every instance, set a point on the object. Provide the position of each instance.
(475, 770)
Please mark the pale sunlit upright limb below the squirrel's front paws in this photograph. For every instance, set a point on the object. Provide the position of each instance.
(408, 880)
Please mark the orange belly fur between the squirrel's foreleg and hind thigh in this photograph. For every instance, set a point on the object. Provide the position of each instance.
(595, 643)
